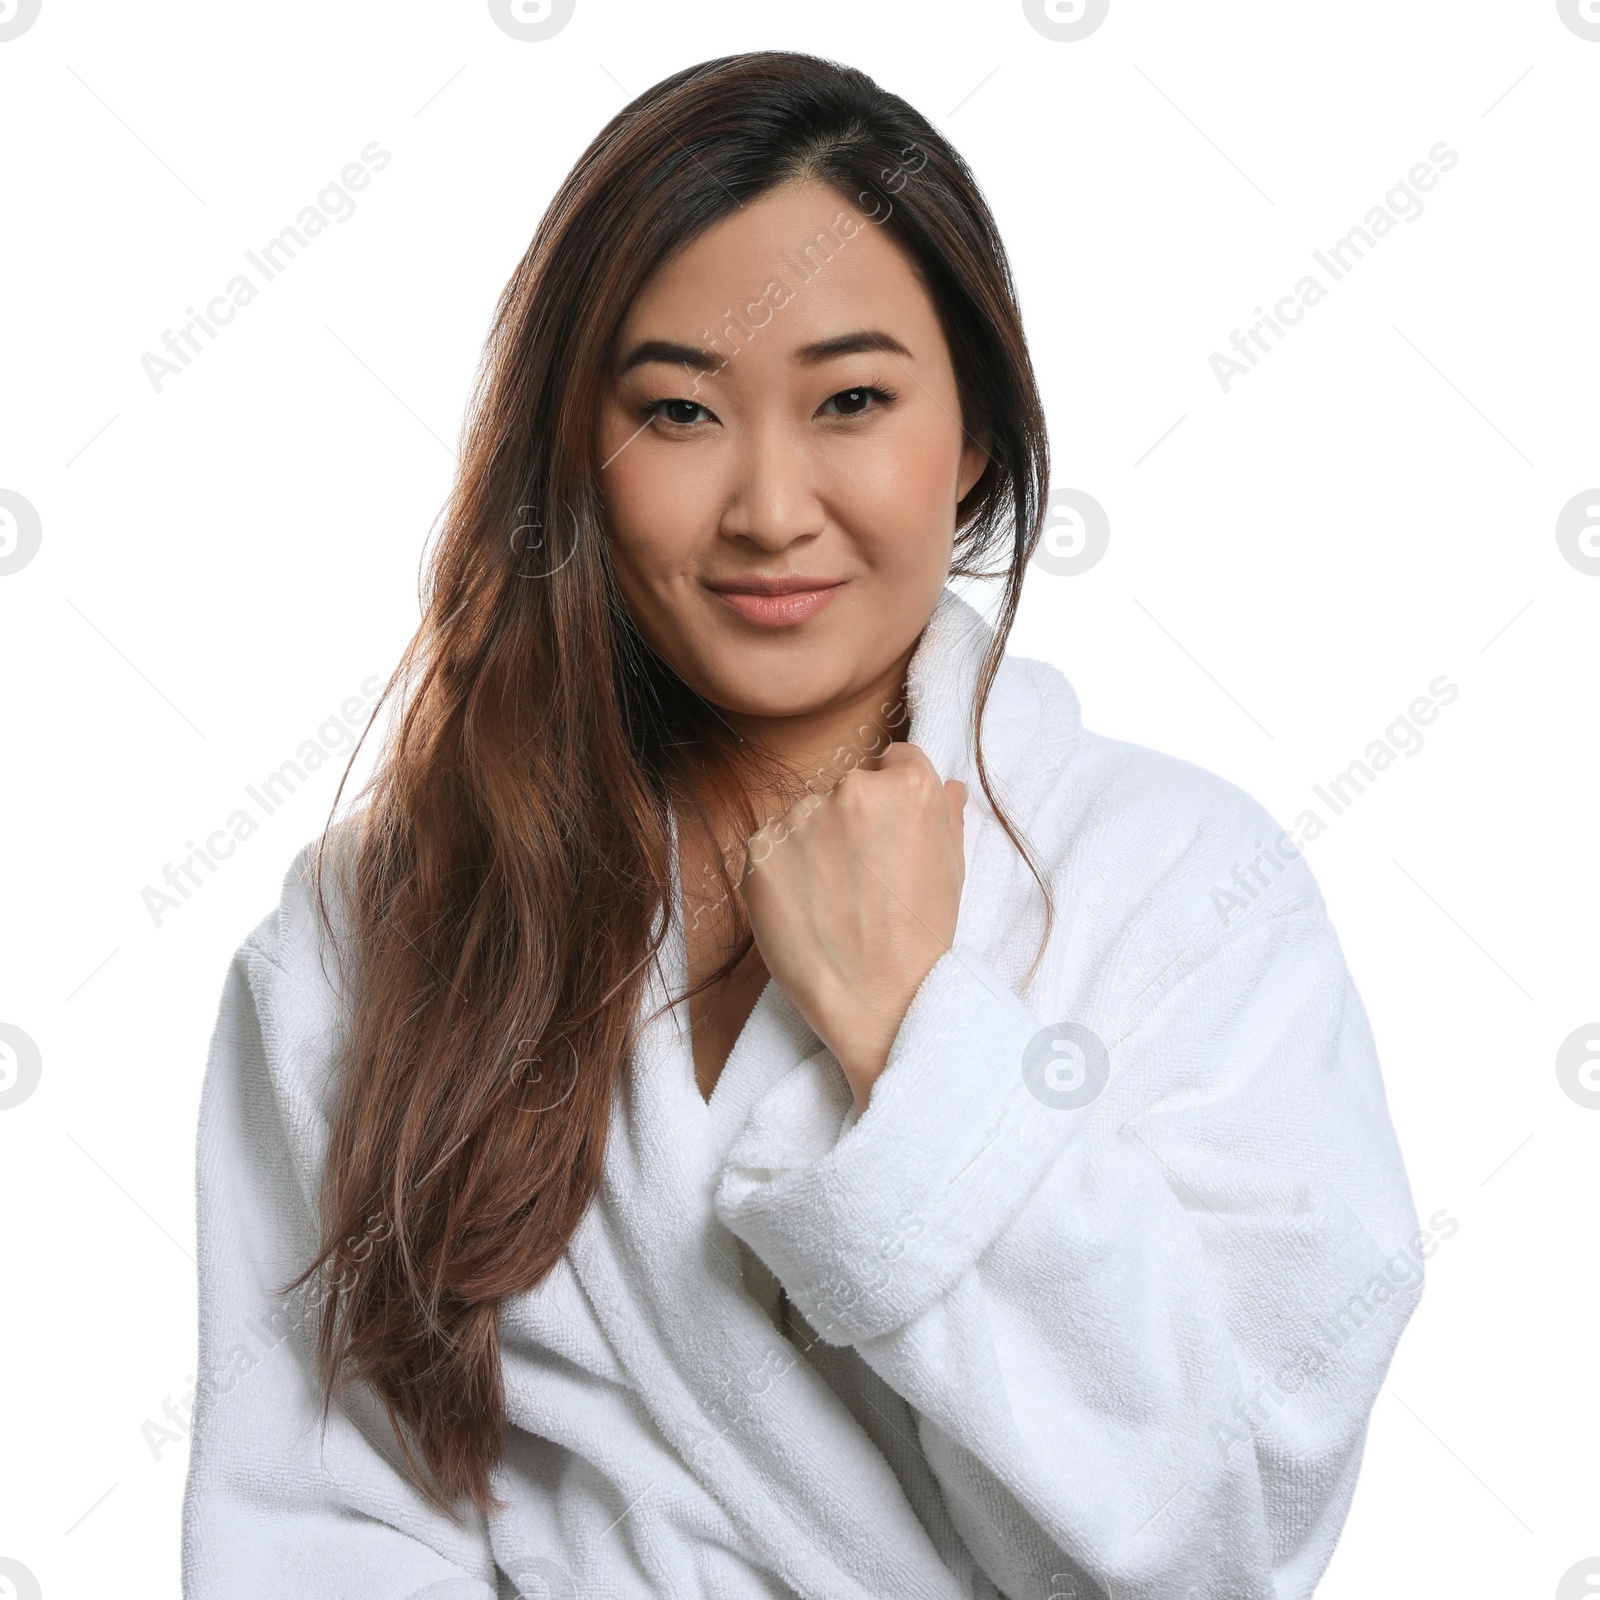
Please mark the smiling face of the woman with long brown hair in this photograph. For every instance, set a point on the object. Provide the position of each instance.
(766, 425)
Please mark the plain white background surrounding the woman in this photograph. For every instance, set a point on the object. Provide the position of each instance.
(226, 561)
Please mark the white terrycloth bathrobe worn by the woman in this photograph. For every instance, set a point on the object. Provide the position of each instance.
(1042, 1342)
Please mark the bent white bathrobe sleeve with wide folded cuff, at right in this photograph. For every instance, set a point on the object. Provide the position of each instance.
(1140, 1314)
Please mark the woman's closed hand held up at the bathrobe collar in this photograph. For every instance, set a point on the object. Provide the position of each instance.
(854, 897)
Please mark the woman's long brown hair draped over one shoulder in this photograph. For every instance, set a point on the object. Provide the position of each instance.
(503, 892)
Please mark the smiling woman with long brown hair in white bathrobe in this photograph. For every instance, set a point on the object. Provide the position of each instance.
(738, 1130)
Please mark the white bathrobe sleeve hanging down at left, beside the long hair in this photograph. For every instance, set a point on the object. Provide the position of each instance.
(270, 1506)
